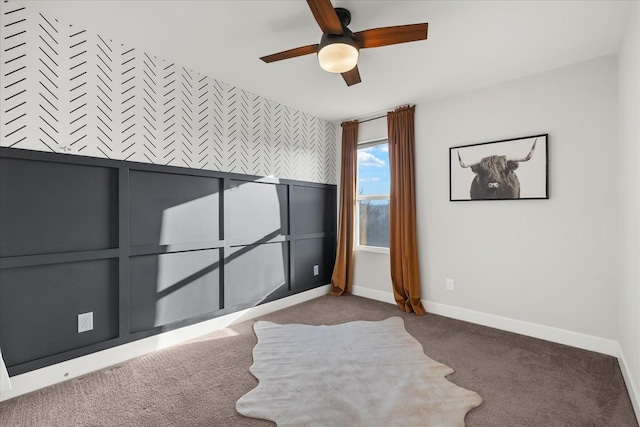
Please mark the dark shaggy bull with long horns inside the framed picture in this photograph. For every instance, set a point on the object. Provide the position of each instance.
(495, 176)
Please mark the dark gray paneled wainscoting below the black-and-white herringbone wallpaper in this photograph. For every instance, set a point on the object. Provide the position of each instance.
(145, 249)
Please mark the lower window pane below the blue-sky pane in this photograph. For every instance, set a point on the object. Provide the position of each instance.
(374, 223)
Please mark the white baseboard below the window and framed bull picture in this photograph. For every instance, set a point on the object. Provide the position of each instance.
(549, 333)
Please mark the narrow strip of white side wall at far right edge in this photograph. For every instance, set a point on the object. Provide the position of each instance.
(629, 202)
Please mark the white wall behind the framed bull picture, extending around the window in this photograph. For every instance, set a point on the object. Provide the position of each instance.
(544, 262)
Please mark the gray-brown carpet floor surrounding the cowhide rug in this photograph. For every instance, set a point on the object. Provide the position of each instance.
(523, 381)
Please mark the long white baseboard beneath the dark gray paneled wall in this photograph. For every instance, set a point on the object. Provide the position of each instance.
(63, 371)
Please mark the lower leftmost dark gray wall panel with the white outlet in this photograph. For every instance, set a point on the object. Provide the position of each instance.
(39, 307)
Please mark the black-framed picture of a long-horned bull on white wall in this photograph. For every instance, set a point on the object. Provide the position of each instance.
(500, 170)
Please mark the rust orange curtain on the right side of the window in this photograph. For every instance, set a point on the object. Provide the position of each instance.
(403, 245)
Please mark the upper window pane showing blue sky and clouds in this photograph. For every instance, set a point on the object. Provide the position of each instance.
(373, 170)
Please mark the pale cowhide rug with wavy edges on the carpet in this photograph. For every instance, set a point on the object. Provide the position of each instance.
(353, 374)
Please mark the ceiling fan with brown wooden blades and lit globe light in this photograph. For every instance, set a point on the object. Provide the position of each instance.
(338, 49)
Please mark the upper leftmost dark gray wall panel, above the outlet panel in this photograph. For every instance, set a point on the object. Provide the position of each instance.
(54, 207)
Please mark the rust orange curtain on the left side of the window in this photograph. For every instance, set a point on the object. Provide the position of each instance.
(342, 276)
